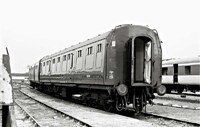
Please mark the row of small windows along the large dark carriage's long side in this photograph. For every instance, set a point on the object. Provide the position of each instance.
(89, 51)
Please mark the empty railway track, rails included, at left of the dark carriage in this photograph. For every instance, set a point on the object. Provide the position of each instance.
(43, 115)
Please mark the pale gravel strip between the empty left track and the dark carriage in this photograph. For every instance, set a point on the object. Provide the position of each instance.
(92, 116)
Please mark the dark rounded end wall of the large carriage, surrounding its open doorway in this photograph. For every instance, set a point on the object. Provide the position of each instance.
(118, 55)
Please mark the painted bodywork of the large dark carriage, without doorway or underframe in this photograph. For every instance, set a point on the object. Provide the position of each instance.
(115, 67)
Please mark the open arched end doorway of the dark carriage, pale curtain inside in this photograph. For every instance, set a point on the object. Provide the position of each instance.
(141, 60)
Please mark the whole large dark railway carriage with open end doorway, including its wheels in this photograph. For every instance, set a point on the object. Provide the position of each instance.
(117, 70)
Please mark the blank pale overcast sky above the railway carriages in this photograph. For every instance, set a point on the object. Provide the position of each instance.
(32, 29)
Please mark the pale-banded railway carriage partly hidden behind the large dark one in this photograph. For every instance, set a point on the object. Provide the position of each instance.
(181, 74)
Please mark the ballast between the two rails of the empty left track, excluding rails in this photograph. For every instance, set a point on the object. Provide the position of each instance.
(44, 115)
